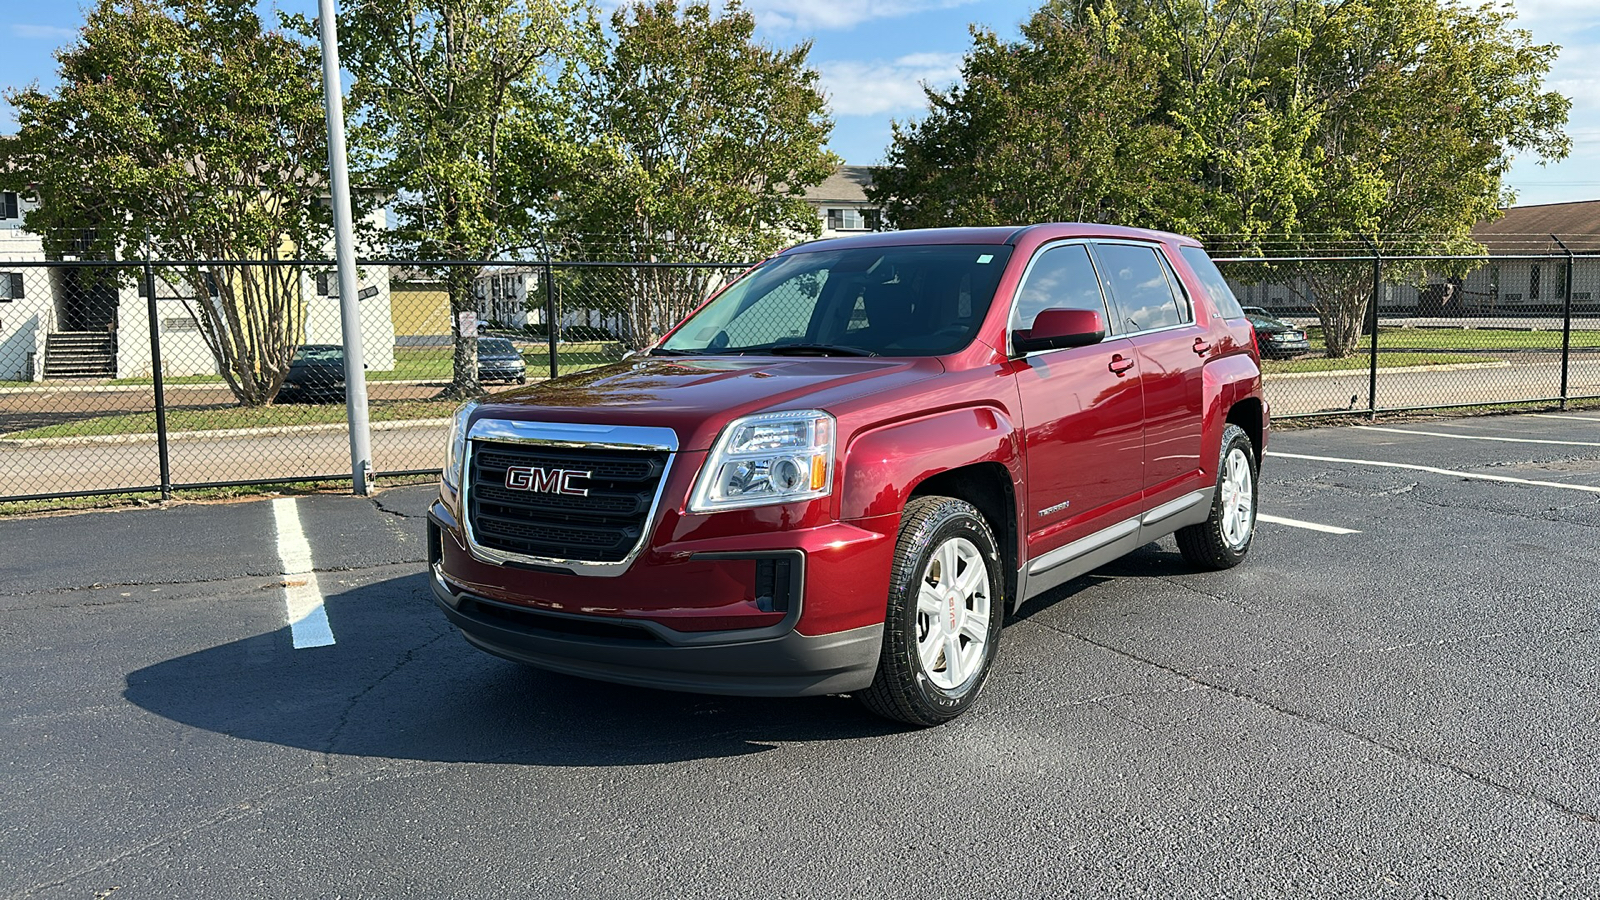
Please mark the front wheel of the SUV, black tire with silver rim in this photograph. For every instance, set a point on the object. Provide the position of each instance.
(938, 649)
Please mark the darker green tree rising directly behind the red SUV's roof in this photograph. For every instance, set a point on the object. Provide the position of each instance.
(1065, 124)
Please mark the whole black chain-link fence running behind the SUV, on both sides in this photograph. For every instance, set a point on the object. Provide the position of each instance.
(167, 376)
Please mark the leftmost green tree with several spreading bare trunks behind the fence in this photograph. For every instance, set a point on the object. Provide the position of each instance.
(183, 129)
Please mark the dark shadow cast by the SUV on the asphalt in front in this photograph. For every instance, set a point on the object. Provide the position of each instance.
(401, 683)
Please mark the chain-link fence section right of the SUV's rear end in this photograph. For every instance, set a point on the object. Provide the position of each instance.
(1446, 332)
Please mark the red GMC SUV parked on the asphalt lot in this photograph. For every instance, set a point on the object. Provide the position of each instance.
(841, 473)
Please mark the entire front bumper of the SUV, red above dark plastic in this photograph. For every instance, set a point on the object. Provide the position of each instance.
(686, 616)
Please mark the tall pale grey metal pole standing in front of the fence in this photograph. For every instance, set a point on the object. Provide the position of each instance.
(345, 252)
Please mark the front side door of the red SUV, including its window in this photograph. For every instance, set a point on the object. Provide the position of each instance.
(1082, 411)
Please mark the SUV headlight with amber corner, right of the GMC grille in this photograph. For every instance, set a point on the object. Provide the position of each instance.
(769, 459)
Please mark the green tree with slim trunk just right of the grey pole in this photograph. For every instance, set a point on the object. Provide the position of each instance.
(457, 116)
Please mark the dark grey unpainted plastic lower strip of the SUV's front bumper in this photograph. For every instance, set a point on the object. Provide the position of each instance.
(786, 665)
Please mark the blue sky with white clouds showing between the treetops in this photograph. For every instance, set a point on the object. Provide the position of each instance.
(874, 54)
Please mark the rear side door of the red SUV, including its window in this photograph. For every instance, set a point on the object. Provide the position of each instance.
(1159, 319)
